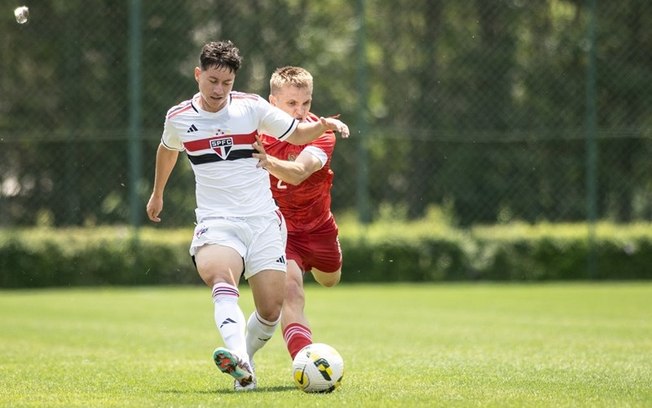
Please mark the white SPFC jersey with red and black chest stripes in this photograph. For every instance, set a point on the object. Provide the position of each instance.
(219, 146)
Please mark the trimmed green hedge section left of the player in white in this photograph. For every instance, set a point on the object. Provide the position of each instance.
(79, 257)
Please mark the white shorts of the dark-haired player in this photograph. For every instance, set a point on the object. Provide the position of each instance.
(259, 240)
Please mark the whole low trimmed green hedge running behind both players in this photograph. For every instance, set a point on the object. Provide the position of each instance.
(383, 252)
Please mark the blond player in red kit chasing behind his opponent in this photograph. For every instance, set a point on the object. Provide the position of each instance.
(301, 181)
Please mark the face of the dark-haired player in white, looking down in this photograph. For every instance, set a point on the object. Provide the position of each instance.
(215, 84)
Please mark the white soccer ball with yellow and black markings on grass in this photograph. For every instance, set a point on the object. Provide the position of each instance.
(318, 367)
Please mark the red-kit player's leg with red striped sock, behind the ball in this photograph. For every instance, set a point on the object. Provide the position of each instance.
(294, 323)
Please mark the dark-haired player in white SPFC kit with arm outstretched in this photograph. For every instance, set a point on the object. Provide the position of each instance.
(239, 228)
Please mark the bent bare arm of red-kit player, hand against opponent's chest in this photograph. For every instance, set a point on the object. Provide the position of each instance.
(290, 172)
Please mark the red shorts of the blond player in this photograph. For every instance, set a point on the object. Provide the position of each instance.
(319, 248)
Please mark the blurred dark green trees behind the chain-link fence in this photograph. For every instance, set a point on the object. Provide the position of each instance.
(479, 107)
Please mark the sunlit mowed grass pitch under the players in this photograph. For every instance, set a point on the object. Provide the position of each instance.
(501, 345)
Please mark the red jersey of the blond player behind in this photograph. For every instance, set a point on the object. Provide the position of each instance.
(308, 205)
